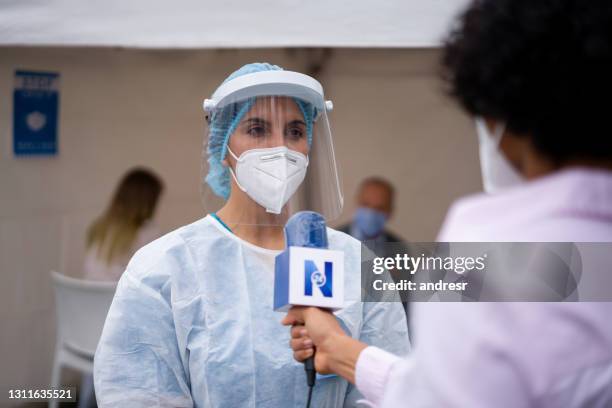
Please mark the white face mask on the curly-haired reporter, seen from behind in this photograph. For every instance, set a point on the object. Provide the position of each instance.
(497, 172)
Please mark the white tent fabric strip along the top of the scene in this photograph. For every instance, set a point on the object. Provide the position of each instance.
(226, 23)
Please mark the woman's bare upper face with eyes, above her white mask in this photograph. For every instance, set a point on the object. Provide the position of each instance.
(271, 122)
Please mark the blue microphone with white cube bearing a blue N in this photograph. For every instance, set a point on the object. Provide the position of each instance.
(307, 273)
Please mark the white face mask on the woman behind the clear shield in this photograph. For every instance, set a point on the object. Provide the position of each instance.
(270, 176)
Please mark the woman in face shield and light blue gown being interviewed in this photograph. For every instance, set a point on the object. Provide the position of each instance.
(192, 322)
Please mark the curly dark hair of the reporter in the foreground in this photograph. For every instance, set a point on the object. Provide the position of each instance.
(544, 67)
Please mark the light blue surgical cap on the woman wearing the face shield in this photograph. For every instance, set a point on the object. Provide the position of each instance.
(224, 122)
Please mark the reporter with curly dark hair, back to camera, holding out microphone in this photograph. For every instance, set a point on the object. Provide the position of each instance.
(537, 74)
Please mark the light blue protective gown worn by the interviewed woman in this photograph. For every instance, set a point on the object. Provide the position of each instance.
(192, 324)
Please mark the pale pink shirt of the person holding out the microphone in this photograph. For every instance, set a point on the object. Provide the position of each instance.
(509, 354)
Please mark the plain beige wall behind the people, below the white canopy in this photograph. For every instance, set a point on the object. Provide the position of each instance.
(120, 108)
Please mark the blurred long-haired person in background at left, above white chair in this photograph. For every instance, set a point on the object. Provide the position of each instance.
(124, 227)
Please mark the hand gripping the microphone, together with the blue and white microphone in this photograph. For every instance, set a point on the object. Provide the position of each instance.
(309, 283)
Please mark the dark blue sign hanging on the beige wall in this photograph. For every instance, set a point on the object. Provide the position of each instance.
(35, 113)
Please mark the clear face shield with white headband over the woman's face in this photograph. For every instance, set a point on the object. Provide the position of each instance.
(269, 150)
